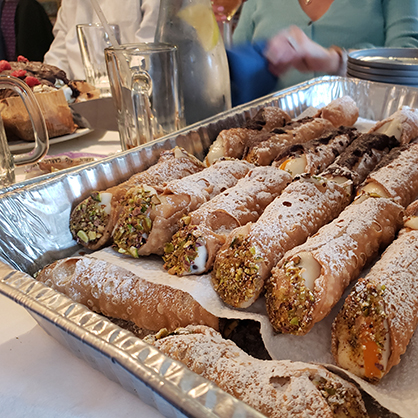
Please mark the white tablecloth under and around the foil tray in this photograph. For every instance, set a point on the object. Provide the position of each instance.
(39, 378)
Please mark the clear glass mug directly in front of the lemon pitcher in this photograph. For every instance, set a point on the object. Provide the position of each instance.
(145, 89)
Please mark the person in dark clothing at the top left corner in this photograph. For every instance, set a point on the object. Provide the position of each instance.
(25, 30)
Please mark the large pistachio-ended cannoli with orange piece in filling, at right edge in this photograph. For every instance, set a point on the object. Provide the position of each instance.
(376, 323)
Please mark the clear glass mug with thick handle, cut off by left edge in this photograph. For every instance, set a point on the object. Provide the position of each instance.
(7, 160)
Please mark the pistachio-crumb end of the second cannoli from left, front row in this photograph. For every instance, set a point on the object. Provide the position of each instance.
(134, 224)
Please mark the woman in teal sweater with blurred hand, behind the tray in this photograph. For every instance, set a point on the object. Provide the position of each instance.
(302, 39)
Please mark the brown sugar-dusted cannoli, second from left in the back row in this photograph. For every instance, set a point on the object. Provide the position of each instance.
(264, 149)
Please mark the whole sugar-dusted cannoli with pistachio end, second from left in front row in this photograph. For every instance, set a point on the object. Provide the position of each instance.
(148, 219)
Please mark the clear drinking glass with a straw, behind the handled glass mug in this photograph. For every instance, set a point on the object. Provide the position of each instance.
(93, 40)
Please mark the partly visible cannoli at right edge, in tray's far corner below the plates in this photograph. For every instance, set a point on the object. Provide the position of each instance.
(403, 125)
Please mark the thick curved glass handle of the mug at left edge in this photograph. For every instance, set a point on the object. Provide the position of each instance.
(36, 118)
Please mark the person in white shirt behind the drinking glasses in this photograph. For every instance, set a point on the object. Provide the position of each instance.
(137, 20)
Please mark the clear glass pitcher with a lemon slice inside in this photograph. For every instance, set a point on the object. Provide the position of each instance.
(204, 74)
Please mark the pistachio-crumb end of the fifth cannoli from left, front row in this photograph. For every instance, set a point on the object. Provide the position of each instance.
(292, 301)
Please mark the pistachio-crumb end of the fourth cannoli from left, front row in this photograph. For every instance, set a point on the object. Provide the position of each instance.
(235, 277)
